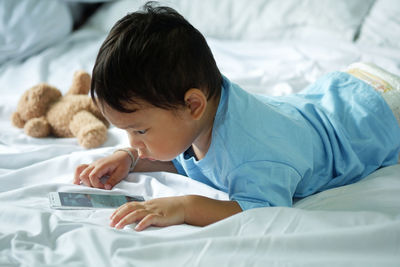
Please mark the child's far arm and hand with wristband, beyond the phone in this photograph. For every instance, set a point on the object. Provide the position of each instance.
(116, 166)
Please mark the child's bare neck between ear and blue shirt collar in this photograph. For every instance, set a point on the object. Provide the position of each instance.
(203, 141)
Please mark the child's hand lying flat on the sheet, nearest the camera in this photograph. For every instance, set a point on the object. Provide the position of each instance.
(158, 212)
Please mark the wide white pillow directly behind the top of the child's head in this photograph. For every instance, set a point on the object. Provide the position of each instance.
(257, 19)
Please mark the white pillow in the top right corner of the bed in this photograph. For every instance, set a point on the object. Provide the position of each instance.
(382, 25)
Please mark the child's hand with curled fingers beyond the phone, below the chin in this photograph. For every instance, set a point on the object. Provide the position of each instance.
(116, 166)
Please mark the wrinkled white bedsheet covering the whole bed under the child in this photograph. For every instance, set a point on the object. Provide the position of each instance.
(354, 225)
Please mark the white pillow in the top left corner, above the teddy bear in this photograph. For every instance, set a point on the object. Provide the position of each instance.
(28, 26)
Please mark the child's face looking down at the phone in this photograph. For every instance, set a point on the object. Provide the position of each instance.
(157, 134)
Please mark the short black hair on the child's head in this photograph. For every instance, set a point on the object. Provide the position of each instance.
(154, 55)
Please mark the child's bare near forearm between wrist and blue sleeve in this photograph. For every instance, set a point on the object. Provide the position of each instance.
(202, 211)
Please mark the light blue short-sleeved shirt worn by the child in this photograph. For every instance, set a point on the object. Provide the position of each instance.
(267, 150)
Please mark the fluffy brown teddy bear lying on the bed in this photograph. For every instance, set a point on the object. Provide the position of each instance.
(42, 111)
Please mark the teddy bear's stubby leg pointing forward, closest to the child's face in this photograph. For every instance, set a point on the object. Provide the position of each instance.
(89, 130)
